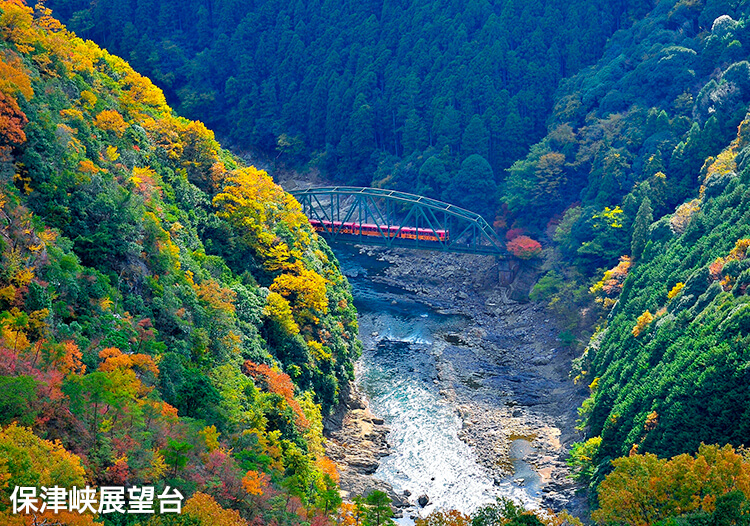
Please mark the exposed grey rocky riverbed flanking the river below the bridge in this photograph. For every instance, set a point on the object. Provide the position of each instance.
(504, 372)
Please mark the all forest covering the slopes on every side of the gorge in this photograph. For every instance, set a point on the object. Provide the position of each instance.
(168, 316)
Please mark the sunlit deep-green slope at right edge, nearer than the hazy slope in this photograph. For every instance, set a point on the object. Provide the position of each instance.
(671, 366)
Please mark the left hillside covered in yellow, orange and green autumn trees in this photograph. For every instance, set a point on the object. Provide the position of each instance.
(166, 313)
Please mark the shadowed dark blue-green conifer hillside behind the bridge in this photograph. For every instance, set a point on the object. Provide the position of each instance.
(394, 93)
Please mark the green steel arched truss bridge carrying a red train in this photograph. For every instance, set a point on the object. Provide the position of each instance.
(375, 216)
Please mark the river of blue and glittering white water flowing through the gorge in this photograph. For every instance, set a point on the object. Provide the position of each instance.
(405, 350)
